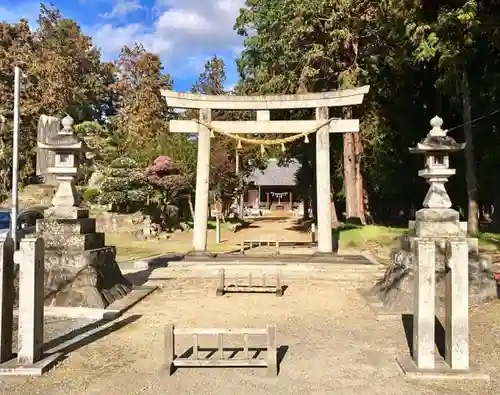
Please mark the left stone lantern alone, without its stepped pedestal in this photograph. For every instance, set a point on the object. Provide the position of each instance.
(66, 148)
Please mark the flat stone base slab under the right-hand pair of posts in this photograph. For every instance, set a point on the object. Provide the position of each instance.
(441, 371)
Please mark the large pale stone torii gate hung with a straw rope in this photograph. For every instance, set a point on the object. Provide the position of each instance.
(263, 125)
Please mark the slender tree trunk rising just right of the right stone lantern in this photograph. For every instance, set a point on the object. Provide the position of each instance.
(470, 162)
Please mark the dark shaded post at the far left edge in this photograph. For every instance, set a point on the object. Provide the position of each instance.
(6, 298)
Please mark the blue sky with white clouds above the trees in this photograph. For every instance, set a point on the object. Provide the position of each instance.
(185, 33)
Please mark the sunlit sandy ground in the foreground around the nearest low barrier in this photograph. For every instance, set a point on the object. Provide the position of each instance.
(335, 346)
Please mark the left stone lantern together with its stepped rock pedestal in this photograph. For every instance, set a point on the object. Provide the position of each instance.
(80, 271)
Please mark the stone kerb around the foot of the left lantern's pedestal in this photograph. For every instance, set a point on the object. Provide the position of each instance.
(113, 311)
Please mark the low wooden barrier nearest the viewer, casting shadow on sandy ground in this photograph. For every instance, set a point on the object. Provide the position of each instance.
(219, 359)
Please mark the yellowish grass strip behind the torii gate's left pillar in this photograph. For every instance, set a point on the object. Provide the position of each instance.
(128, 248)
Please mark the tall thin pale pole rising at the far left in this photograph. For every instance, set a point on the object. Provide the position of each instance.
(15, 156)
